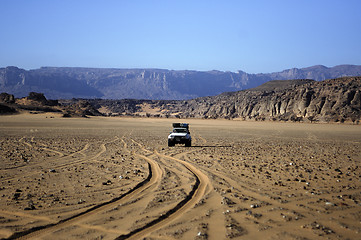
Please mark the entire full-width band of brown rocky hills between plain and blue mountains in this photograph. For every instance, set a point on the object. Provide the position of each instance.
(333, 100)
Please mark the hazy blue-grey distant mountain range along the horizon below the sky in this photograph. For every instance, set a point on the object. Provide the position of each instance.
(155, 84)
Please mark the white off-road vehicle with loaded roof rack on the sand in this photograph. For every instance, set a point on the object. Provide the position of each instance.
(180, 135)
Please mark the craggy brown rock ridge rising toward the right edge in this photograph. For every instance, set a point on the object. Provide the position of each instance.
(335, 100)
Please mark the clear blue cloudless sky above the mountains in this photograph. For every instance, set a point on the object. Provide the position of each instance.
(254, 36)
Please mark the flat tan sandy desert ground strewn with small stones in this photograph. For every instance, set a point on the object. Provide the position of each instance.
(116, 178)
